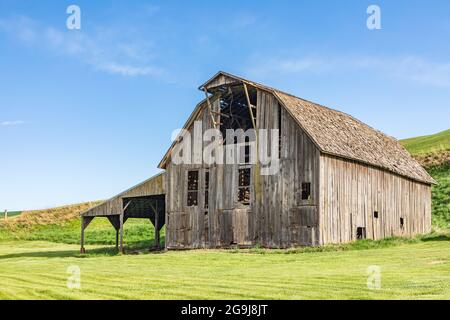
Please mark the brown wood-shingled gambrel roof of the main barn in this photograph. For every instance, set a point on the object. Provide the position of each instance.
(338, 134)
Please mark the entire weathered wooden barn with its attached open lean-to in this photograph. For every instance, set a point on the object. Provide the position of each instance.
(338, 180)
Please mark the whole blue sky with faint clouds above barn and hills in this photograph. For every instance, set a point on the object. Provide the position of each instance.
(85, 114)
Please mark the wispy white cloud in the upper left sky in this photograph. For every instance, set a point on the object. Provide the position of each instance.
(103, 50)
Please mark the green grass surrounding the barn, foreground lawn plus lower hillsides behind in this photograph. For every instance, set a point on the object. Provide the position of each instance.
(37, 248)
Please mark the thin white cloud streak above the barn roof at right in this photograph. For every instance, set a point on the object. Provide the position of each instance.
(413, 69)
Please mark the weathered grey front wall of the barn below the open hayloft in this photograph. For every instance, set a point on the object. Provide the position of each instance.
(276, 217)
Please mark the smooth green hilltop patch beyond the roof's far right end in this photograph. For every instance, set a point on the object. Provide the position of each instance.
(428, 144)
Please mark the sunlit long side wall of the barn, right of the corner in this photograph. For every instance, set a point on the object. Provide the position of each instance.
(351, 193)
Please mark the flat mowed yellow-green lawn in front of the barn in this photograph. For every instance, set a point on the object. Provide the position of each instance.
(38, 270)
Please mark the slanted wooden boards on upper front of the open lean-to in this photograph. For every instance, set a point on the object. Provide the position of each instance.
(113, 206)
